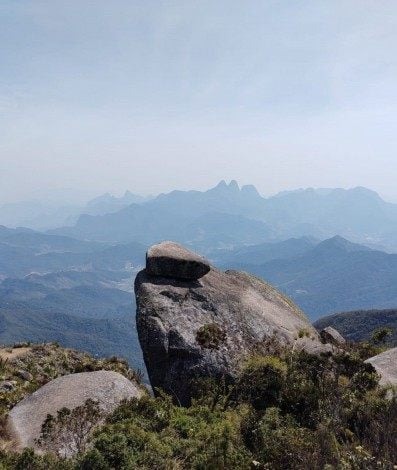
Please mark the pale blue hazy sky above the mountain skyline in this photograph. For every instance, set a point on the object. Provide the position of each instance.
(154, 95)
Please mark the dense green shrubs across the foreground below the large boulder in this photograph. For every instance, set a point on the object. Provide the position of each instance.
(287, 411)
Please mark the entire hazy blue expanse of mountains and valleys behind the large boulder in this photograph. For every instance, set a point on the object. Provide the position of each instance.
(74, 284)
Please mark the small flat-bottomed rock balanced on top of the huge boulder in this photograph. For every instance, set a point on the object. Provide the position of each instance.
(168, 259)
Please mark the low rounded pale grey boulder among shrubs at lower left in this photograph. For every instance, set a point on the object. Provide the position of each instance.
(70, 391)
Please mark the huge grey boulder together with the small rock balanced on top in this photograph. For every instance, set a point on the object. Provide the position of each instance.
(205, 327)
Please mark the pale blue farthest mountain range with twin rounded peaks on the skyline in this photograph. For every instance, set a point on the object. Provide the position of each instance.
(227, 216)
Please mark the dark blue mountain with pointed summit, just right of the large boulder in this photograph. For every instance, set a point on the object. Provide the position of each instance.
(336, 275)
